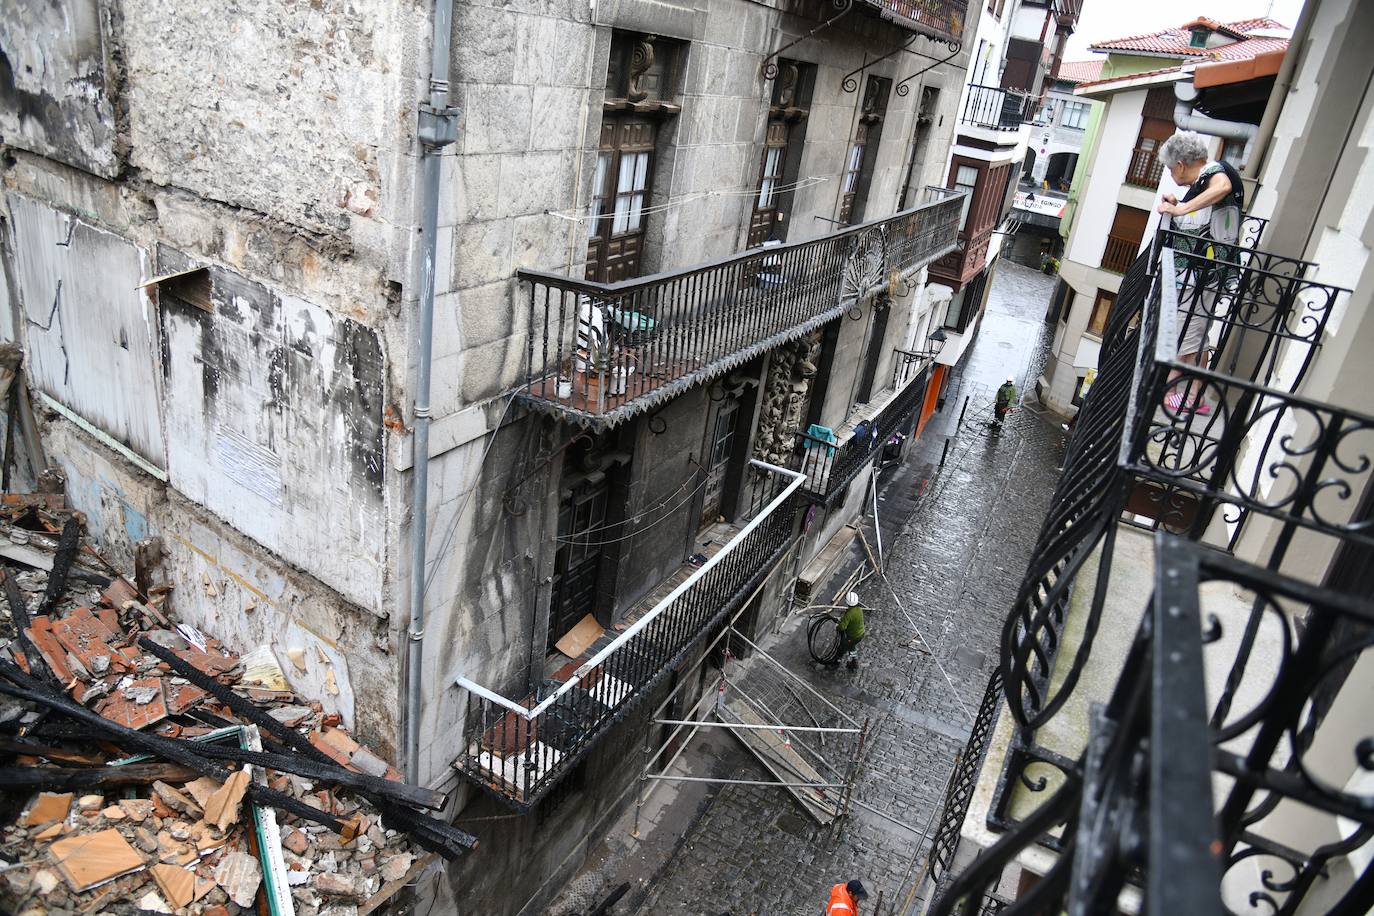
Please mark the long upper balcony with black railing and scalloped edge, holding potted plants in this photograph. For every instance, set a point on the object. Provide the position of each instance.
(600, 354)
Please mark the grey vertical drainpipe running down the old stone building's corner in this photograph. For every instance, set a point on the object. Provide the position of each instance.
(438, 128)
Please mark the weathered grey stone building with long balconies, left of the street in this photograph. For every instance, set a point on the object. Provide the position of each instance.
(212, 262)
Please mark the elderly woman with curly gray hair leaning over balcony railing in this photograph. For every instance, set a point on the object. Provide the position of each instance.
(1208, 226)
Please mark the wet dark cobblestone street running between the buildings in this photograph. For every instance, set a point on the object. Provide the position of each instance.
(957, 539)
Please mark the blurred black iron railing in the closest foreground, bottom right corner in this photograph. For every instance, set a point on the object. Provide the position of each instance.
(1288, 833)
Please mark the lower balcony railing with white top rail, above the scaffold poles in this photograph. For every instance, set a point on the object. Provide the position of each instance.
(520, 749)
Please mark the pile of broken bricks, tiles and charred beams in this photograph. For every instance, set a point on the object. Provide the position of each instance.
(146, 768)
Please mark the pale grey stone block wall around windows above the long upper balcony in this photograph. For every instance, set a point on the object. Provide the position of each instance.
(531, 80)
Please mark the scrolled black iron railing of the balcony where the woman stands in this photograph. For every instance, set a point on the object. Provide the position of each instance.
(1195, 451)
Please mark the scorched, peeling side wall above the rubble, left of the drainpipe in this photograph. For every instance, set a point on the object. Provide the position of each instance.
(255, 429)
